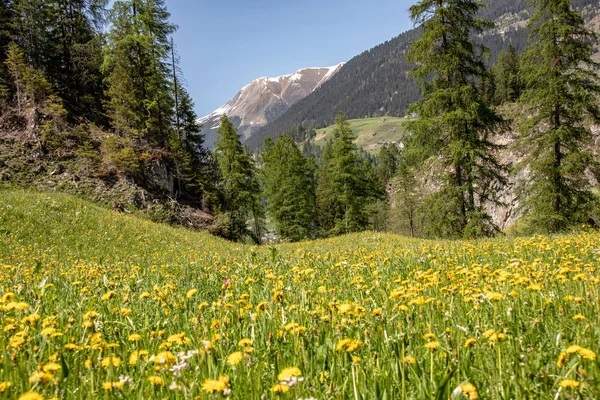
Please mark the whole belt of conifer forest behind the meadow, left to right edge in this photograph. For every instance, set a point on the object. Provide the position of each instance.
(96, 95)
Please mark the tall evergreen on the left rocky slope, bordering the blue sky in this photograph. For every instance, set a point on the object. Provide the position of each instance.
(138, 69)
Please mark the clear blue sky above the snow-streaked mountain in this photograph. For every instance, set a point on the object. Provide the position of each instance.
(224, 45)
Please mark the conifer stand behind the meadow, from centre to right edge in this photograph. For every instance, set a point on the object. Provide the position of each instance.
(554, 87)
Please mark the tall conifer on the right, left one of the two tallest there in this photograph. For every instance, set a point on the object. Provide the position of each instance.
(454, 120)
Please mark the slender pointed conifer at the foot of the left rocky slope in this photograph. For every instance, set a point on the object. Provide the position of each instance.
(238, 184)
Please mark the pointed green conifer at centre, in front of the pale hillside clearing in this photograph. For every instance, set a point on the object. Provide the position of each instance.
(346, 186)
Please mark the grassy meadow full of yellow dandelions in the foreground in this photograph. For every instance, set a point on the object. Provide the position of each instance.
(99, 304)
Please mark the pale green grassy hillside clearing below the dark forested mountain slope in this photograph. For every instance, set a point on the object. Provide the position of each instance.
(371, 133)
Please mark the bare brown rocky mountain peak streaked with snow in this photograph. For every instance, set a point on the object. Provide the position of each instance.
(264, 100)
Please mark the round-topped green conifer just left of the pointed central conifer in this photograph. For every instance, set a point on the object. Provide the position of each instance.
(290, 189)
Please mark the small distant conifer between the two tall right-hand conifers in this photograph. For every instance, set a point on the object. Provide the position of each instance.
(507, 79)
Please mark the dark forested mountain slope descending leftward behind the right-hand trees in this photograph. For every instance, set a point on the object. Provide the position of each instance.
(377, 82)
